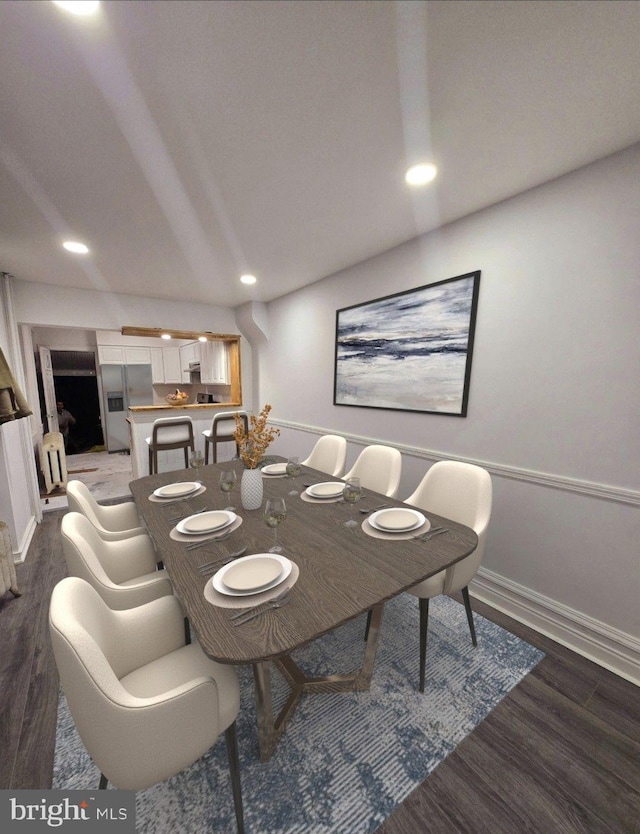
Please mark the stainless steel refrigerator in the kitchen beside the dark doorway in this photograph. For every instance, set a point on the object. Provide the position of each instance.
(122, 387)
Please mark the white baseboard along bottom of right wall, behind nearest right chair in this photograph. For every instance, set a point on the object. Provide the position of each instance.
(609, 647)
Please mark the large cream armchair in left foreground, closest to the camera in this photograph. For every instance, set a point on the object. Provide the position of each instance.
(146, 705)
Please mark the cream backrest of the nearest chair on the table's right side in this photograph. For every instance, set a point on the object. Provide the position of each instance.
(462, 492)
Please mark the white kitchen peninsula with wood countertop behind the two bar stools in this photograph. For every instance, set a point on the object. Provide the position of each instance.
(142, 417)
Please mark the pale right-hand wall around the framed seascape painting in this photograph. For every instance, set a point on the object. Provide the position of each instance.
(555, 383)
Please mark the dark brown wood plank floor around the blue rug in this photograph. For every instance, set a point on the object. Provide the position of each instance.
(561, 753)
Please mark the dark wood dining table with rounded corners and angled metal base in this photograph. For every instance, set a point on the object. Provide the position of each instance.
(343, 573)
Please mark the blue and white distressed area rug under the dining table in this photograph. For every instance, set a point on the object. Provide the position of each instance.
(346, 760)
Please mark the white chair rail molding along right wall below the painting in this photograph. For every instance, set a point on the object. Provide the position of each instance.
(604, 492)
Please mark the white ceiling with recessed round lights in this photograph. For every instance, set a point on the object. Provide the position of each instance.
(188, 142)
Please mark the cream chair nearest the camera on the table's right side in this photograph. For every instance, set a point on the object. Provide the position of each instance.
(463, 493)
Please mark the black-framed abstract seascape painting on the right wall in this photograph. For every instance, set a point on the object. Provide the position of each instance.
(410, 351)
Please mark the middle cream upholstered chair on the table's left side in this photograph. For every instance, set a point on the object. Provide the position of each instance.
(122, 572)
